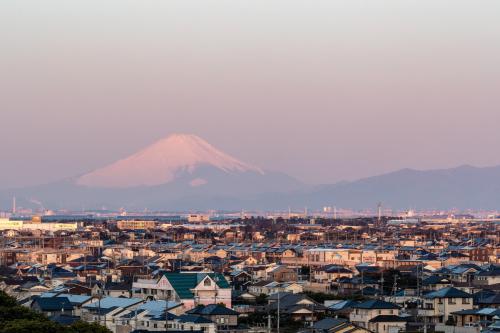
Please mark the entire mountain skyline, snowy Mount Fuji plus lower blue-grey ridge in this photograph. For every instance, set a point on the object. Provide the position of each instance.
(184, 172)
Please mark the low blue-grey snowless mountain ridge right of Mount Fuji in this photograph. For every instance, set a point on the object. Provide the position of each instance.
(461, 187)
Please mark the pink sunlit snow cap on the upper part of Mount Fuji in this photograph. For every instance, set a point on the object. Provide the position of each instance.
(160, 162)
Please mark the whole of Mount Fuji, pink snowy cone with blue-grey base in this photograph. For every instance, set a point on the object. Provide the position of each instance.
(179, 172)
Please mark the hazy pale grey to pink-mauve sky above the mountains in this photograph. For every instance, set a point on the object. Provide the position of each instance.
(322, 90)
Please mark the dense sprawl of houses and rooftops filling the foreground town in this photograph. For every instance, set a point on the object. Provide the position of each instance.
(256, 274)
